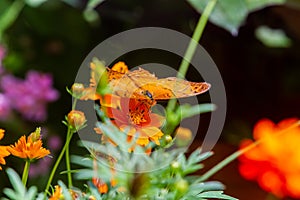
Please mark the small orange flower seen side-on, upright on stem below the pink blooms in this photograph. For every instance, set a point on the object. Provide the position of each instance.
(28, 149)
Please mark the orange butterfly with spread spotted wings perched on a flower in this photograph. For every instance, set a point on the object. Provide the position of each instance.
(141, 84)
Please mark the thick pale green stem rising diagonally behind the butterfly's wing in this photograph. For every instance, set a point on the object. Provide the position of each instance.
(192, 48)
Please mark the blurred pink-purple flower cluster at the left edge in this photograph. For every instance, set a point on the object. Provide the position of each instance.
(30, 96)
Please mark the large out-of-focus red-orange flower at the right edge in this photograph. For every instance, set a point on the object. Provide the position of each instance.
(275, 162)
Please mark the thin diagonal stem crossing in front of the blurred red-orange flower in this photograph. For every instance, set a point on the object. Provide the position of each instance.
(236, 154)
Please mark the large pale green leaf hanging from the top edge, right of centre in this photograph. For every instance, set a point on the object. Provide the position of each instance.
(231, 14)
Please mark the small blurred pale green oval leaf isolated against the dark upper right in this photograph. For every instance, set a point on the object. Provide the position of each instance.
(274, 38)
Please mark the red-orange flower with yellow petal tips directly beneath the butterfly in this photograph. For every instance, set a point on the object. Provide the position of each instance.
(134, 116)
